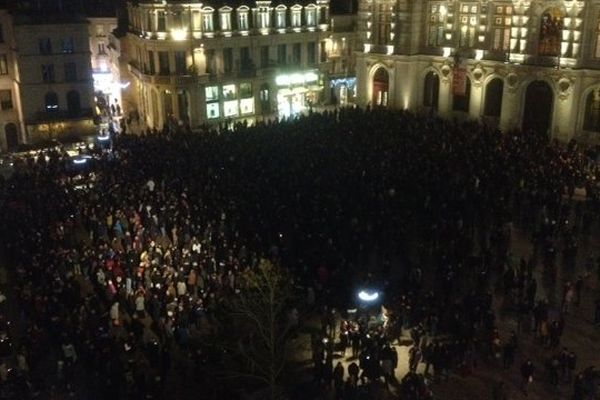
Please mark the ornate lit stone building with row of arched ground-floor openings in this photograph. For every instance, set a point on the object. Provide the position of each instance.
(516, 64)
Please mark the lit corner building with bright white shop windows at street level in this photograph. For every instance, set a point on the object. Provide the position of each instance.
(194, 63)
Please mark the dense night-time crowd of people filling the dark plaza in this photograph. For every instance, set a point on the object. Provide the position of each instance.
(120, 264)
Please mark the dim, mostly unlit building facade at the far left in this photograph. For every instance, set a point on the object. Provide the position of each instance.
(54, 79)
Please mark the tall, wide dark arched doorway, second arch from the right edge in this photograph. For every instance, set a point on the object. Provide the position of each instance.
(539, 102)
